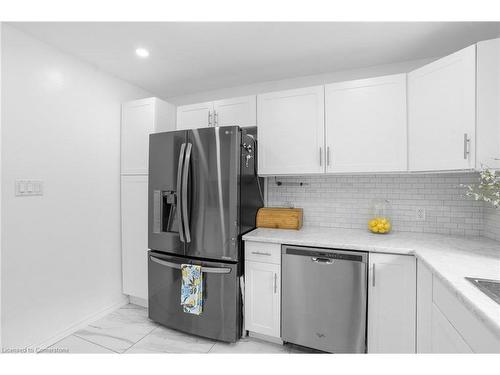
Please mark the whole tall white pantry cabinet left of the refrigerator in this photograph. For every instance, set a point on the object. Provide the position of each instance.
(140, 118)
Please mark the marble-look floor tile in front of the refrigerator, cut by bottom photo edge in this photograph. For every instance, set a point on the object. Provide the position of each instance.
(165, 340)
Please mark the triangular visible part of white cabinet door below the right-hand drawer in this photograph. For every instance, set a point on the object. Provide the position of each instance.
(445, 338)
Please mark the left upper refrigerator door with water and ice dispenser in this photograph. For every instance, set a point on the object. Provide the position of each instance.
(166, 157)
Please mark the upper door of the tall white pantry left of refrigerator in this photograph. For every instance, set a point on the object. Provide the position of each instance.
(138, 121)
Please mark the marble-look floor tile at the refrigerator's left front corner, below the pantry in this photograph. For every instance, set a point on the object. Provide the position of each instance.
(119, 330)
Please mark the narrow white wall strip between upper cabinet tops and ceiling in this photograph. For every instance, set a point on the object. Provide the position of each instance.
(304, 81)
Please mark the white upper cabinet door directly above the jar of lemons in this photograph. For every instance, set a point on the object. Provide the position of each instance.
(366, 125)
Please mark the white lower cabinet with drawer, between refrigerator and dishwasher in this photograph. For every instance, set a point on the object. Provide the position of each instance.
(263, 289)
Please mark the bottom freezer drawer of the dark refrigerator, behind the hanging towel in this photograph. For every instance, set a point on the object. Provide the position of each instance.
(220, 318)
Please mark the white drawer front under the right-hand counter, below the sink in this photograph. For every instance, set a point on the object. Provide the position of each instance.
(474, 332)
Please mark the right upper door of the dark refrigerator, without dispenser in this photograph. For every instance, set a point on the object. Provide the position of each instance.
(211, 182)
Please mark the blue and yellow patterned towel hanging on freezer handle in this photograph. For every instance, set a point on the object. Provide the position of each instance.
(192, 289)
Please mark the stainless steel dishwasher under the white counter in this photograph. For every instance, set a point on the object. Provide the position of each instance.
(324, 298)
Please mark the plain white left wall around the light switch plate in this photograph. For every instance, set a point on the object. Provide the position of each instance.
(61, 258)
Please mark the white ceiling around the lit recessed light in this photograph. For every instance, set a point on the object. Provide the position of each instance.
(199, 56)
